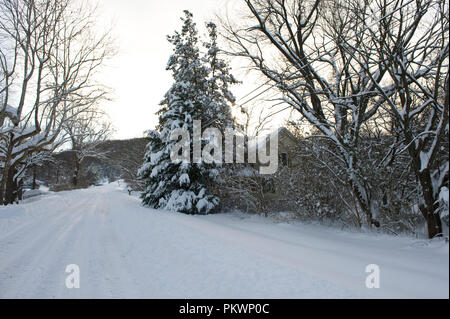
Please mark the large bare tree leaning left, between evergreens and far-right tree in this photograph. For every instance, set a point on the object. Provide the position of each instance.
(315, 73)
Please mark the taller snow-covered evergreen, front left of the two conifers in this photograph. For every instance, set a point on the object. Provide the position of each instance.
(180, 186)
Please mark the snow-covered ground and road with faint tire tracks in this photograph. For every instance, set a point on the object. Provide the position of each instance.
(124, 250)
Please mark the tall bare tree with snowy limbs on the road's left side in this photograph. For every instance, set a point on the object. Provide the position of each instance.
(49, 52)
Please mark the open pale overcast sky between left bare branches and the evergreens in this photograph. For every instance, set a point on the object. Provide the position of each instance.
(137, 73)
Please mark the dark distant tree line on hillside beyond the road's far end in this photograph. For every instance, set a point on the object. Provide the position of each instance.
(118, 160)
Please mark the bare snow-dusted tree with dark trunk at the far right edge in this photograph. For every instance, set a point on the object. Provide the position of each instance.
(414, 50)
